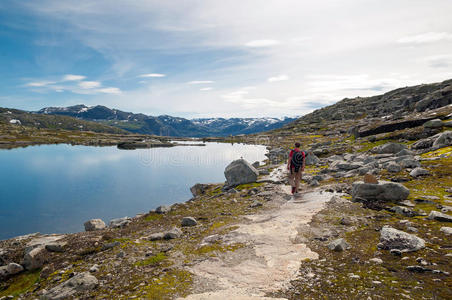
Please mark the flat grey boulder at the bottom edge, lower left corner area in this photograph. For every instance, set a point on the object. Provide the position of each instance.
(79, 283)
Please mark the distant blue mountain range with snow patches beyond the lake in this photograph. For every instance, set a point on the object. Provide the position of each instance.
(167, 125)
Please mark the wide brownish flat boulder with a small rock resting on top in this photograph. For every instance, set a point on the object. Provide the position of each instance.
(383, 191)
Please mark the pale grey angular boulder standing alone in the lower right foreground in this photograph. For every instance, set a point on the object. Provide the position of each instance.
(391, 238)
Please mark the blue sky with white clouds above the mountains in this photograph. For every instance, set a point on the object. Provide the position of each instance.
(218, 58)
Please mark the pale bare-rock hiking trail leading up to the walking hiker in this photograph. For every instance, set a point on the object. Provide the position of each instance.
(272, 257)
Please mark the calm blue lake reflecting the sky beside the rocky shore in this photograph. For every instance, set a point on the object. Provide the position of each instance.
(55, 188)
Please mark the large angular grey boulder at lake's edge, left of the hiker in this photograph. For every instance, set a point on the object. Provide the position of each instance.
(240, 172)
